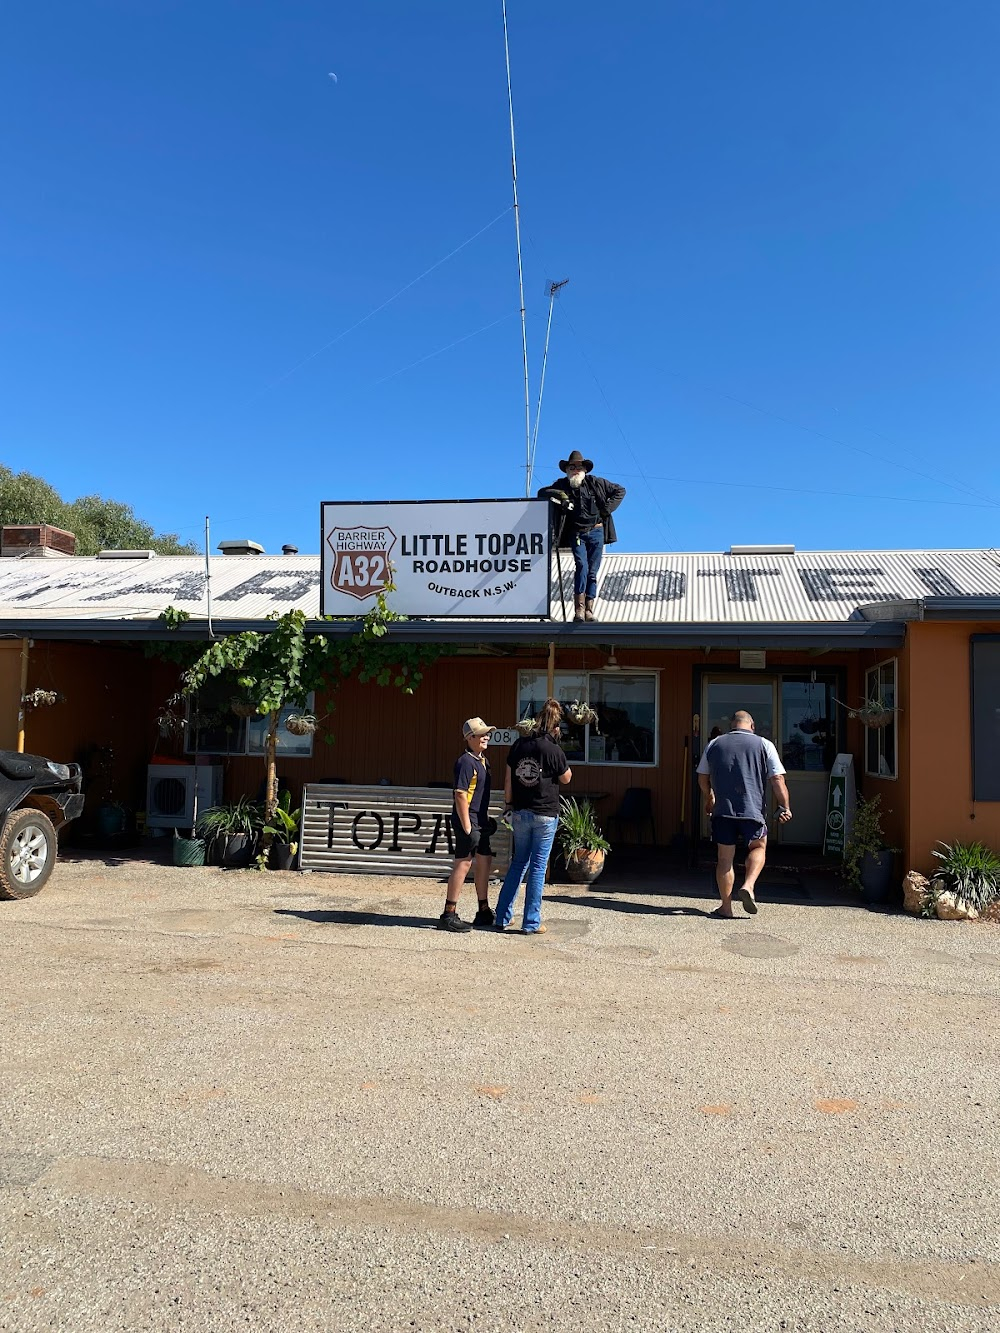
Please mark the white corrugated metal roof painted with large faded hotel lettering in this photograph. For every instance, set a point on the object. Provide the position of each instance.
(673, 590)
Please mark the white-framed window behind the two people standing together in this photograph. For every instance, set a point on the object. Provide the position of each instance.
(626, 707)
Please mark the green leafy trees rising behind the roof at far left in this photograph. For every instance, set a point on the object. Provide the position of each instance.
(99, 525)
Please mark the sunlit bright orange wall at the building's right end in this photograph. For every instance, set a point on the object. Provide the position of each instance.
(938, 719)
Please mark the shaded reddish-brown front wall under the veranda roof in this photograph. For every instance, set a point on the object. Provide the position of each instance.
(114, 694)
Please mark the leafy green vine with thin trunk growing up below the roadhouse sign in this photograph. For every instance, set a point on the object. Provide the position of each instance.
(282, 667)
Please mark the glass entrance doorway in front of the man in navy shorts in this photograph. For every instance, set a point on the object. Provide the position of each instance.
(797, 711)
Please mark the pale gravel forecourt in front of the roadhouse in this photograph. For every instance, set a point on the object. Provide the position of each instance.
(286, 1102)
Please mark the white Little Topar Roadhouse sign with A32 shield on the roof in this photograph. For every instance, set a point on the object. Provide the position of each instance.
(475, 559)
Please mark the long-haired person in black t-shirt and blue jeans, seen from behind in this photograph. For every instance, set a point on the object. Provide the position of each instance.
(537, 768)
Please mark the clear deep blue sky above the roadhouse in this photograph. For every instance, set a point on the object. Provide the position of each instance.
(778, 221)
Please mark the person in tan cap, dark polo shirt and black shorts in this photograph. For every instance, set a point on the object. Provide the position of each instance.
(473, 828)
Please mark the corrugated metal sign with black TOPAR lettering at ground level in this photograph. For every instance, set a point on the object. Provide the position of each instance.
(387, 830)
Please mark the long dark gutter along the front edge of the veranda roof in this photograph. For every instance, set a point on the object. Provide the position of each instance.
(831, 635)
